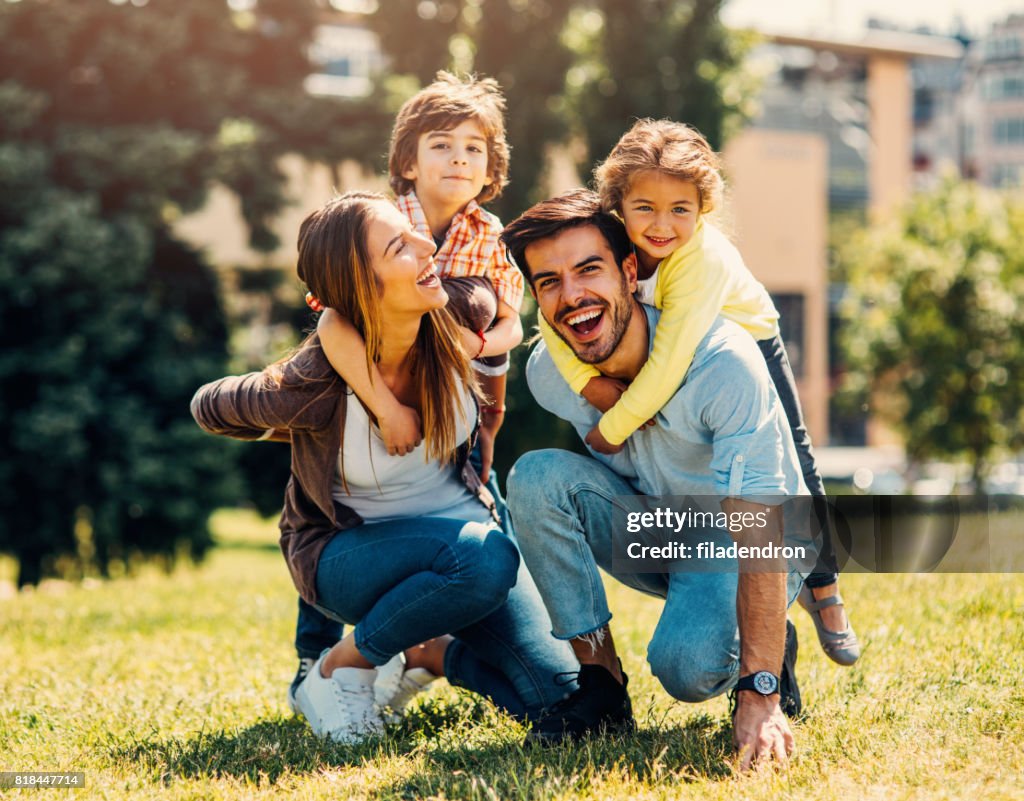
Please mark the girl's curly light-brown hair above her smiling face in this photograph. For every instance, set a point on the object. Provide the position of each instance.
(670, 148)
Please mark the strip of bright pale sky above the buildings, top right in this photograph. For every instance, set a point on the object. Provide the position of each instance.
(849, 18)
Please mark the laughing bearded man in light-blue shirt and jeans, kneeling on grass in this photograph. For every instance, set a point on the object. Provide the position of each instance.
(723, 434)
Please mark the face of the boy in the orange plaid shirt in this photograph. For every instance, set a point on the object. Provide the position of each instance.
(451, 167)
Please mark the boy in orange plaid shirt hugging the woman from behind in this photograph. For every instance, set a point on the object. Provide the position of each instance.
(448, 155)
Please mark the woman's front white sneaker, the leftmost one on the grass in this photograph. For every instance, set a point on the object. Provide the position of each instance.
(343, 707)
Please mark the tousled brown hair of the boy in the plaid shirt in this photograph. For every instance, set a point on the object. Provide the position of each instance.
(445, 105)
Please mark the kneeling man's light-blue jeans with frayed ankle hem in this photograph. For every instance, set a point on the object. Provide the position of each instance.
(563, 505)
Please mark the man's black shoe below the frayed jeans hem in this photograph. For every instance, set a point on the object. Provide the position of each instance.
(602, 705)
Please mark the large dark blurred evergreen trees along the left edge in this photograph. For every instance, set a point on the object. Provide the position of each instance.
(114, 117)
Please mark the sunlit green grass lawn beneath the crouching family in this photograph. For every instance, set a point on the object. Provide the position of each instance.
(173, 688)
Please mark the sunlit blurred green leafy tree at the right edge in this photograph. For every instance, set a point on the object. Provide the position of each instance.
(934, 326)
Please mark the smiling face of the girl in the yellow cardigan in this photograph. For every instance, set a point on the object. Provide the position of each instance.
(661, 213)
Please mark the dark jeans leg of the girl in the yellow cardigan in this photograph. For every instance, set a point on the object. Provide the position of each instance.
(782, 375)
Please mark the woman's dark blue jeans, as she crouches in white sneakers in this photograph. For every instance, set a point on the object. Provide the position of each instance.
(403, 582)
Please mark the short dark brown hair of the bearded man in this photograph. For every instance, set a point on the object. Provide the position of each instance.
(548, 219)
